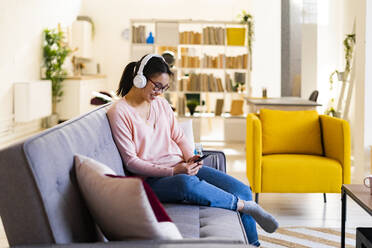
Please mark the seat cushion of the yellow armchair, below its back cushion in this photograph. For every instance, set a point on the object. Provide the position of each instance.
(295, 173)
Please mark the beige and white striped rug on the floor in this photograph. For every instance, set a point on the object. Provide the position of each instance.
(306, 237)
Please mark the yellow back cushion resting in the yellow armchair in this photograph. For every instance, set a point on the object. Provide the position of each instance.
(290, 132)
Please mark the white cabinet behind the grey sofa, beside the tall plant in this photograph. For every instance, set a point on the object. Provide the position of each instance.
(77, 93)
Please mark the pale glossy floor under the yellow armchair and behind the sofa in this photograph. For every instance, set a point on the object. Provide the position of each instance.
(289, 209)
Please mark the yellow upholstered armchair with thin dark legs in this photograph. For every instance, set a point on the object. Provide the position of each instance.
(271, 171)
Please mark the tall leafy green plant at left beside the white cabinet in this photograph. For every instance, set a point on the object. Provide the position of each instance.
(55, 51)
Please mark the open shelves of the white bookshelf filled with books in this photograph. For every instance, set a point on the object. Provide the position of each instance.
(211, 57)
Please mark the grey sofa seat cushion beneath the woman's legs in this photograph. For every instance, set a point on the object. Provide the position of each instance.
(206, 222)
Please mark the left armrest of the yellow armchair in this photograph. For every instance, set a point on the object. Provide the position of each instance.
(253, 144)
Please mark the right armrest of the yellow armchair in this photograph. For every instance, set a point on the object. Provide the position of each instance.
(336, 142)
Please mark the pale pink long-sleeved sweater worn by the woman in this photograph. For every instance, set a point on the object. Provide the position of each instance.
(148, 149)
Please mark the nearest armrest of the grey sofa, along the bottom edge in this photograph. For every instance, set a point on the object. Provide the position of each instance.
(184, 243)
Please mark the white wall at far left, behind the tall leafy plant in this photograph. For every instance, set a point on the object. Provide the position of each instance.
(21, 26)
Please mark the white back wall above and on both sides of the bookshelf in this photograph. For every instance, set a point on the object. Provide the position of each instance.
(112, 17)
